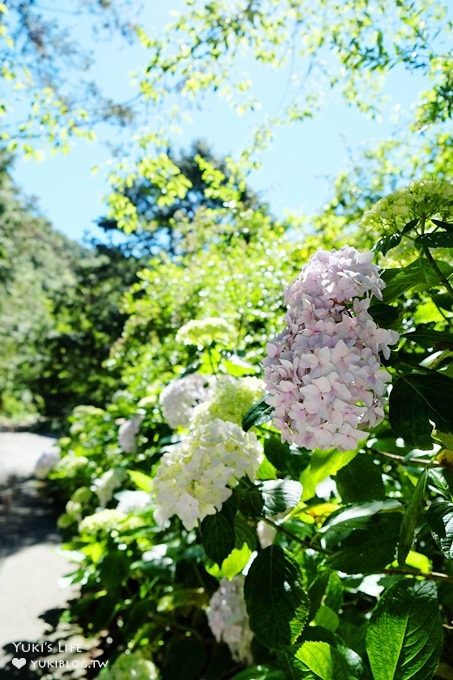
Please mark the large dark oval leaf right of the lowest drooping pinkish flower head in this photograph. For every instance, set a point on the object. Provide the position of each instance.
(277, 603)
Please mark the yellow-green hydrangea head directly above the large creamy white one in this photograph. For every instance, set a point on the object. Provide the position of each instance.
(231, 398)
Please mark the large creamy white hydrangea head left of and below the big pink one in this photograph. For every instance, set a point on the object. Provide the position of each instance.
(195, 477)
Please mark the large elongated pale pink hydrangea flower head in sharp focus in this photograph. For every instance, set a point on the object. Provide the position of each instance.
(323, 372)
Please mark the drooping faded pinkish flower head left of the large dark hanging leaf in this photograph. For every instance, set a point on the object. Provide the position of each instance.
(228, 620)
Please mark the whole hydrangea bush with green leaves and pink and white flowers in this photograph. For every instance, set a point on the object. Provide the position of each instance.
(283, 508)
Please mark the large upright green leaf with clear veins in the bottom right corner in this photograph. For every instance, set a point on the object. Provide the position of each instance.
(404, 639)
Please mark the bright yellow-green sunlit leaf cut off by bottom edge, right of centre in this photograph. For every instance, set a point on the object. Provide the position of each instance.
(319, 660)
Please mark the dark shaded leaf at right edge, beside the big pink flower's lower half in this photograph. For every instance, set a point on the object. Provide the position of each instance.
(415, 400)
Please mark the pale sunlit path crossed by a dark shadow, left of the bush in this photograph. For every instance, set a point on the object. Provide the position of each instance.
(32, 569)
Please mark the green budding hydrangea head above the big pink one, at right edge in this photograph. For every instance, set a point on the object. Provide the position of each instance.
(420, 200)
